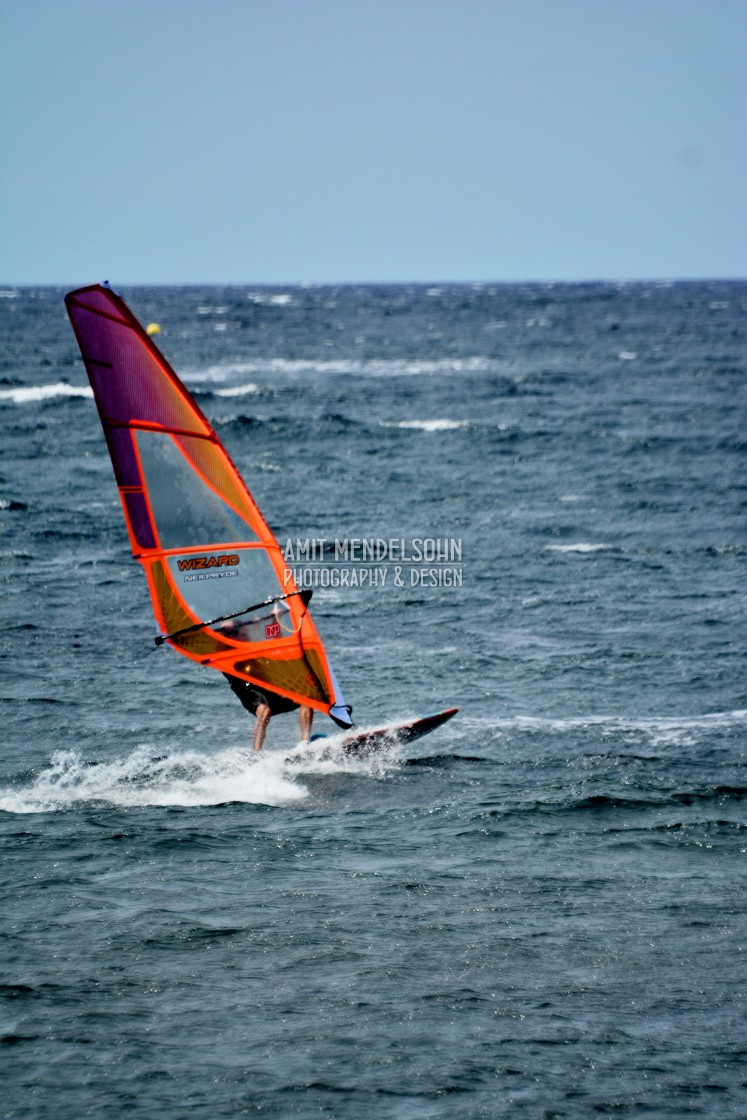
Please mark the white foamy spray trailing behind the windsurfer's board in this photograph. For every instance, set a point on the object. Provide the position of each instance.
(184, 779)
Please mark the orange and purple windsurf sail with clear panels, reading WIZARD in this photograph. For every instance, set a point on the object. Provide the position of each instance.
(221, 591)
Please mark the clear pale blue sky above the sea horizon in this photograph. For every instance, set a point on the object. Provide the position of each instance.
(275, 142)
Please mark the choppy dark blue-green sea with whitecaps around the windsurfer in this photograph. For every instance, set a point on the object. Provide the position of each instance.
(524, 501)
